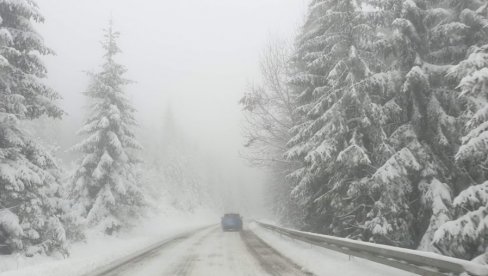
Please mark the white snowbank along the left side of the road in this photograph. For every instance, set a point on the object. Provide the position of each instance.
(100, 249)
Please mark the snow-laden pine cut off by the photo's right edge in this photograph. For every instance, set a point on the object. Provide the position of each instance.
(466, 236)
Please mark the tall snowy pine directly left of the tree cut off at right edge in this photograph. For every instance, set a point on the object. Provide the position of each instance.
(424, 38)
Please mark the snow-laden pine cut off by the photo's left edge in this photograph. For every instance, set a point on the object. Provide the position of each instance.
(29, 177)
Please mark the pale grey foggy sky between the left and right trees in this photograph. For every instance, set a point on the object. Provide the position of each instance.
(195, 57)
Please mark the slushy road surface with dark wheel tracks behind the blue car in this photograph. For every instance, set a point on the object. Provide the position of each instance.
(211, 252)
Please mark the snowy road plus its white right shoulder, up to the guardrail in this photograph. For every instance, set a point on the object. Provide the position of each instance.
(254, 252)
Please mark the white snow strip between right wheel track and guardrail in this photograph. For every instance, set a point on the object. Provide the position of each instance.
(320, 261)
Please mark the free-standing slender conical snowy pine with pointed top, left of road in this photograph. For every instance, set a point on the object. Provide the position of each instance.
(106, 188)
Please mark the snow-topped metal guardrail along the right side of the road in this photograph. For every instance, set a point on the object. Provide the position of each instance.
(418, 262)
